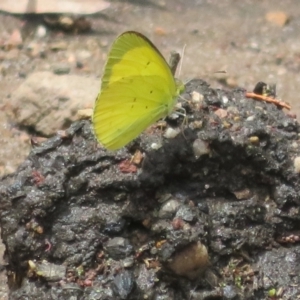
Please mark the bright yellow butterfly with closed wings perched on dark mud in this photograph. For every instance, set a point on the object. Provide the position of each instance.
(138, 88)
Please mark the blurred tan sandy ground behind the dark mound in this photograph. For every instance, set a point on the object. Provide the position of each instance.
(242, 38)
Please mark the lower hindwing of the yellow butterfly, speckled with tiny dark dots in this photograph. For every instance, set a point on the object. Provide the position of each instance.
(124, 112)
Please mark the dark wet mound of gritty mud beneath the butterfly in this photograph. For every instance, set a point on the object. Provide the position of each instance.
(212, 213)
